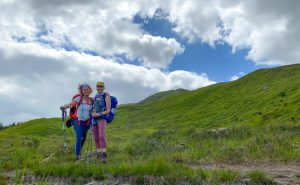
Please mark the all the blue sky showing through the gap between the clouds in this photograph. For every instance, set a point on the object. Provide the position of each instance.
(218, 62)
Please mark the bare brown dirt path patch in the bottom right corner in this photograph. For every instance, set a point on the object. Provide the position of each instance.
(283, 174)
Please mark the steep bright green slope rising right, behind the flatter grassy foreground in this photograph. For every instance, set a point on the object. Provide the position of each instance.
(265, 96)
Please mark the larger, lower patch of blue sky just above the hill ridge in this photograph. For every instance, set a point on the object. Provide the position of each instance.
(219, 63)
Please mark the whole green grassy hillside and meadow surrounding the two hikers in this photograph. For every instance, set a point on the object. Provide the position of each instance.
(255, 118)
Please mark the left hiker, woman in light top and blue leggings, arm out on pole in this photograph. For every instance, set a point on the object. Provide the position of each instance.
(84, 104)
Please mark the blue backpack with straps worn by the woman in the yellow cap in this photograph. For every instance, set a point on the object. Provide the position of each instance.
(114, 102)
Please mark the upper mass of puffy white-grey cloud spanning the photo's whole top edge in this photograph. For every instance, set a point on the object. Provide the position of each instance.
(268, 29)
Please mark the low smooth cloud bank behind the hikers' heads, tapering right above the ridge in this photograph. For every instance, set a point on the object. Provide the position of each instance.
(36, 80)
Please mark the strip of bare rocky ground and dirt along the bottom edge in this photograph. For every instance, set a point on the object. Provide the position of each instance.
(282, 174)
